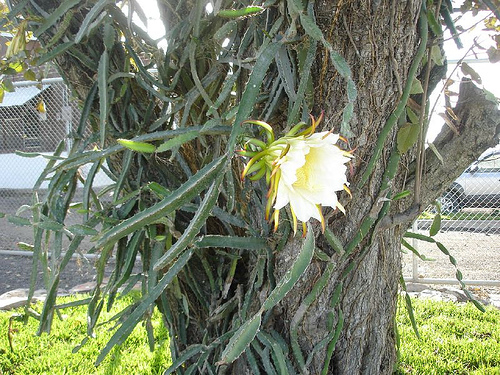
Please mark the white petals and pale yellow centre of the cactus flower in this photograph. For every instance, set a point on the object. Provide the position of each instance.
(312, 171)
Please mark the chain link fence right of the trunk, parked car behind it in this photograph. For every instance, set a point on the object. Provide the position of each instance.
(470, 230)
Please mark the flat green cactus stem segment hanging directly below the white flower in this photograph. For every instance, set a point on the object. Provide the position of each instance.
(293, 275)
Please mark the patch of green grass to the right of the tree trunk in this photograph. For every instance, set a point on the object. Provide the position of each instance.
(455, 339)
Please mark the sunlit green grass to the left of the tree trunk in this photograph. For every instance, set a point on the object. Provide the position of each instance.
(52, 354)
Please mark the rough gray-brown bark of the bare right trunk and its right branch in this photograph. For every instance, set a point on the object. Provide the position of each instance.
(379, 41)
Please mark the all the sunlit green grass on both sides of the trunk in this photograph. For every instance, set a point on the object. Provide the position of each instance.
(455, 339)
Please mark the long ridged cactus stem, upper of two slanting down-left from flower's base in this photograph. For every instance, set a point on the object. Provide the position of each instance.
(183, 194)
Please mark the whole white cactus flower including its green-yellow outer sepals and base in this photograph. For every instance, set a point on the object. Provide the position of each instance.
(304, 170)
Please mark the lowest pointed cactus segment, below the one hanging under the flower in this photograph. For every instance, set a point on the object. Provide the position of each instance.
(241, 339)
